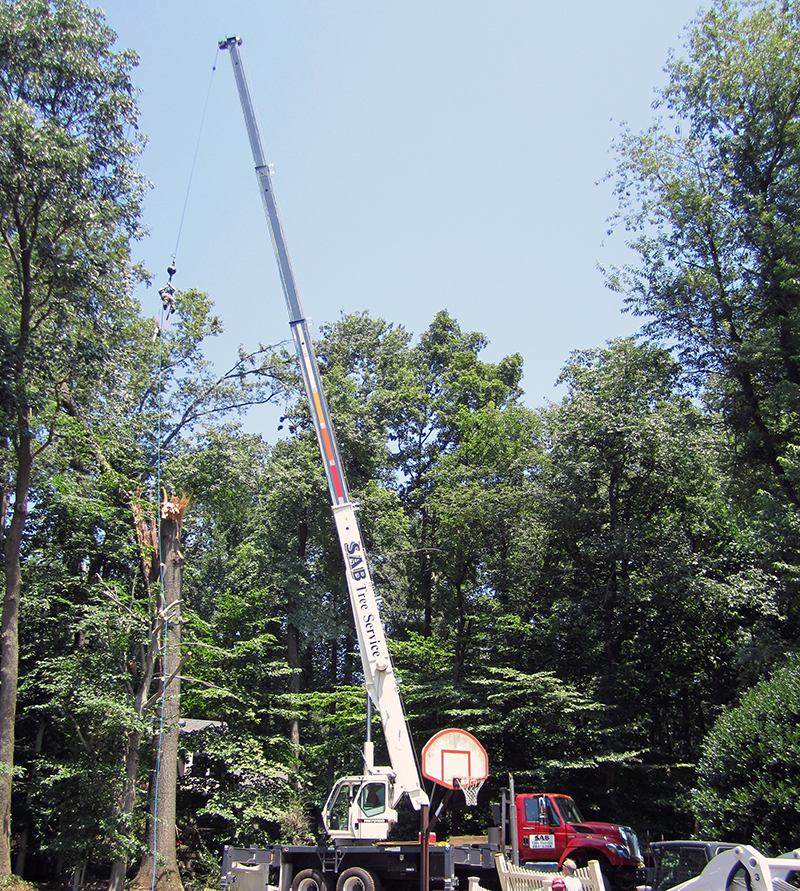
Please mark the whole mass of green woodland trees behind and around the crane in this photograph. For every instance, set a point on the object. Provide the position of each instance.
(597, 589)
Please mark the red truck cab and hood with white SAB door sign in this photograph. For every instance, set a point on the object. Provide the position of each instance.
(550, 829)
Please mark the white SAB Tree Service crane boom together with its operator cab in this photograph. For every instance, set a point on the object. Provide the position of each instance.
(354, 799)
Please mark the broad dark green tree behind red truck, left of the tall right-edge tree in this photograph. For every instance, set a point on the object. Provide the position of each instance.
(646, 590)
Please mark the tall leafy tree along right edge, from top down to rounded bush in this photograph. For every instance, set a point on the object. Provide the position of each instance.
(708, 195)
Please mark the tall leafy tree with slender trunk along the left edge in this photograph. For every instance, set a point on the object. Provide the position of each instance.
(69, 206)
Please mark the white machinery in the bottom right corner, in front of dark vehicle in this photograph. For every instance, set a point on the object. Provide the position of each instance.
(743, 868)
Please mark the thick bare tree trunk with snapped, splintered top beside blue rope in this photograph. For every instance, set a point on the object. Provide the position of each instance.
(159, 869)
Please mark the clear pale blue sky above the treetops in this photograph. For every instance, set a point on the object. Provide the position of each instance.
(428, 154)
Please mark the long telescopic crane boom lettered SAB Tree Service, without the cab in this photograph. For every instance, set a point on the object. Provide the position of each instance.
(379, 673)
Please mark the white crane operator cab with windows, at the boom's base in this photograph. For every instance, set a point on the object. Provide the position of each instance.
(358, 808)
